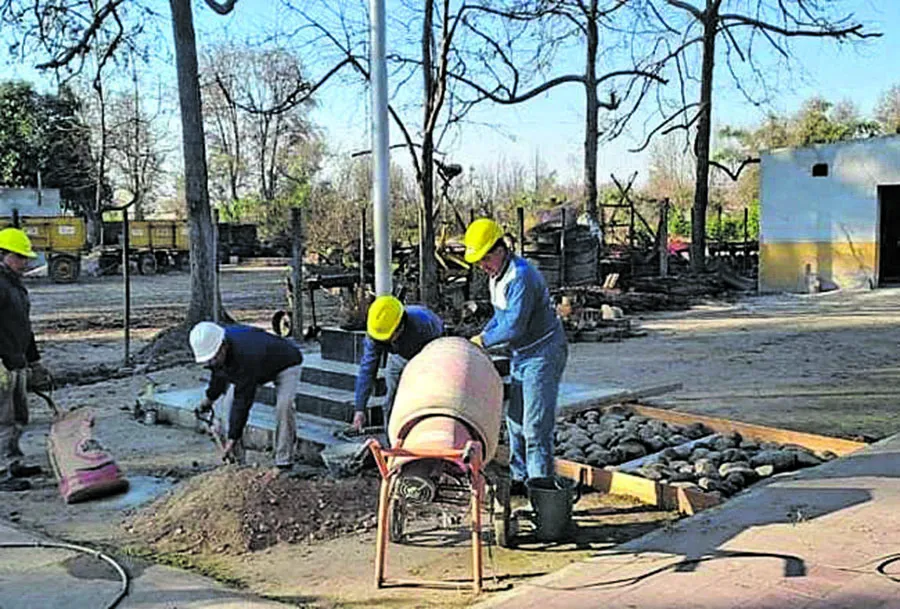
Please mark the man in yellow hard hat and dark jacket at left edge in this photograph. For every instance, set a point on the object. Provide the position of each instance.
(19, 365)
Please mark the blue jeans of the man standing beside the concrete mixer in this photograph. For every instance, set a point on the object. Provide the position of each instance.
(531, 417)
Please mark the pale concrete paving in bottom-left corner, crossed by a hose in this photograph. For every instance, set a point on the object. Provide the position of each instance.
(43, 578)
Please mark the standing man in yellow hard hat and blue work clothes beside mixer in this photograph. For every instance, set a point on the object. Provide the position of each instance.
(525, 321)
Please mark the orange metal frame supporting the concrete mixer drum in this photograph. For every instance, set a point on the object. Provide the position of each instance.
(390, 461)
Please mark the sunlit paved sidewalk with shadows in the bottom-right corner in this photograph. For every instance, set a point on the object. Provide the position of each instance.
(811, 540)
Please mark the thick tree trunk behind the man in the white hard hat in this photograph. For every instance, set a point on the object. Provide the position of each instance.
(195, 177)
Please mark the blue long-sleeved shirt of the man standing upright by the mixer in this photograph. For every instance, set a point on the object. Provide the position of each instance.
(523, 312)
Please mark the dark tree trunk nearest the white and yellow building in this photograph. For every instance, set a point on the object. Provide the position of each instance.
(702, 141)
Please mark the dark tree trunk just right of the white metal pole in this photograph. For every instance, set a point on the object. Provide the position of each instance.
(428, 291)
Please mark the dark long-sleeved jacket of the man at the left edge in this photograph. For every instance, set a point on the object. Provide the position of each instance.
(17, 346)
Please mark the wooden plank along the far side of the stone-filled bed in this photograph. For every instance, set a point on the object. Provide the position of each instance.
(813, 442)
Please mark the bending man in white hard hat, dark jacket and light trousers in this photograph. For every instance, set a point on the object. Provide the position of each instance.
(242, 358)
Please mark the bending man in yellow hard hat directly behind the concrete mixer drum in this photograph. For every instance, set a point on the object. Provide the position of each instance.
(401, 332)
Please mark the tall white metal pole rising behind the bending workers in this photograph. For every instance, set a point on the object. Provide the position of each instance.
(380, 151)
